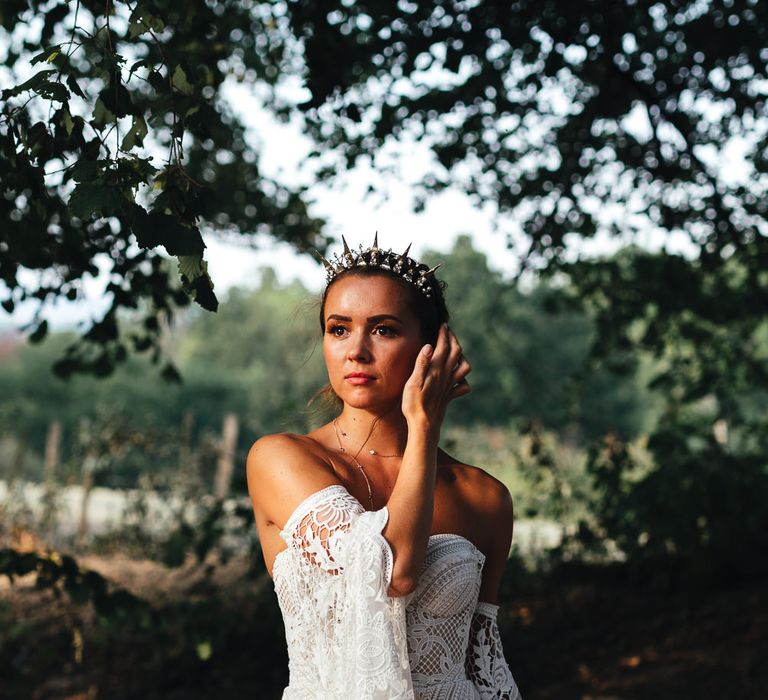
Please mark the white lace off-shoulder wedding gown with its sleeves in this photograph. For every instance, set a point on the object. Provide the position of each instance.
(348, 640)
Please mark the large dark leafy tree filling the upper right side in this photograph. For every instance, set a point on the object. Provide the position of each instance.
(613, 117)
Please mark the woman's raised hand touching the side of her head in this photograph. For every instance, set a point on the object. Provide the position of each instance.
(438, 377)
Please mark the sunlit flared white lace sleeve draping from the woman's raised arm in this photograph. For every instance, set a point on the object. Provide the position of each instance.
(352, 635)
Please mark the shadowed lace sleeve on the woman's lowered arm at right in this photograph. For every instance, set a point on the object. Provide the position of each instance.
(485, 663)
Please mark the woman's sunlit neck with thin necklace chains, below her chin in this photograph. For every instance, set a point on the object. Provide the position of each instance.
(386, 432)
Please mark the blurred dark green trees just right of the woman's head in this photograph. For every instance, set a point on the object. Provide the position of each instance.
(530, 364)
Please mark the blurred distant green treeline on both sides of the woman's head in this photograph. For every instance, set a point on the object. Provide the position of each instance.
(260, 357)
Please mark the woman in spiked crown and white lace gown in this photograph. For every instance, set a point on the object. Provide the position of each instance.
(386, 552)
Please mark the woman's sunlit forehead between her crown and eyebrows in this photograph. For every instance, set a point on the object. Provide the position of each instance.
(369, 295)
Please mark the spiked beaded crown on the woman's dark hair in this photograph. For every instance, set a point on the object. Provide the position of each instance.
(410, 270)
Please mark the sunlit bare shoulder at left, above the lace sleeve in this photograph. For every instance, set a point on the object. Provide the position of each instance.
(282, 470)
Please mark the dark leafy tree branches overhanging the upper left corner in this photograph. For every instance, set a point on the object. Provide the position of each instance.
(120, 143)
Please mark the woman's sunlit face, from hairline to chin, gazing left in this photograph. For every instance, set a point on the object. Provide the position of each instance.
(371, 340)
